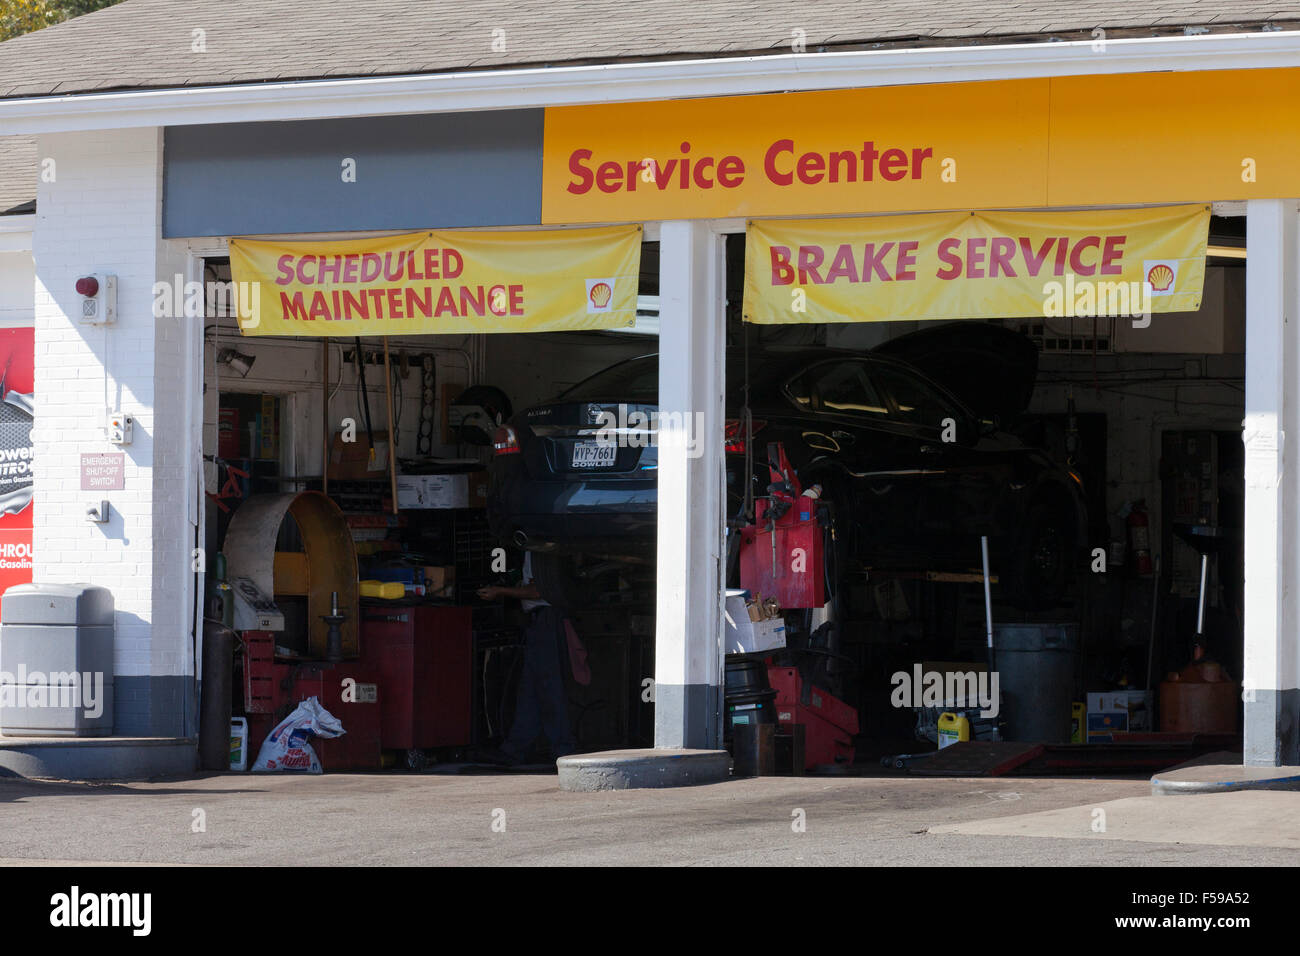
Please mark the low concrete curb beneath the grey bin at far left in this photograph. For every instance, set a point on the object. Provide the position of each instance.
(98, 759)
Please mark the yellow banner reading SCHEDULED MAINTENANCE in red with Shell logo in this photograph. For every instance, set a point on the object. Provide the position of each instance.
(440, 283)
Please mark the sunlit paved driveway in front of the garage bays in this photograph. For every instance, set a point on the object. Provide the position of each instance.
(448, 820)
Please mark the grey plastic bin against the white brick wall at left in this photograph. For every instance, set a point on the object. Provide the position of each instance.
(57, 661)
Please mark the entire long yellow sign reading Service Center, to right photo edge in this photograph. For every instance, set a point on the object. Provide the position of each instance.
(1173, 137)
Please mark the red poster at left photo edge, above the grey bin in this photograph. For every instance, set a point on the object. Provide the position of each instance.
(18, 361)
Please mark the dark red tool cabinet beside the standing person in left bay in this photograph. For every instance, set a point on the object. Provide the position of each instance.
(423, 659)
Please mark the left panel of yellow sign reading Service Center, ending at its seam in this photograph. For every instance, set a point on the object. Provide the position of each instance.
(801, 154)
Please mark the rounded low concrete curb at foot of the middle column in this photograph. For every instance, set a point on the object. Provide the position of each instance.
(643, 769)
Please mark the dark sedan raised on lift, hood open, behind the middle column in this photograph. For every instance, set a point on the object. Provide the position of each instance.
(915, 475)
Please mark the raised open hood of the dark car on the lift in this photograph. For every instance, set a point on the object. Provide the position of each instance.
(990, 369)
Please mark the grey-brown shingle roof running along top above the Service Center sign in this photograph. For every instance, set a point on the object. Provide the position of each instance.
(151, 44)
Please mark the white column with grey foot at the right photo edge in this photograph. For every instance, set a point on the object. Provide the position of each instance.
(1272, 518)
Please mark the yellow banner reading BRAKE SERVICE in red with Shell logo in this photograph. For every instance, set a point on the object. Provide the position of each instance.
(977, 266)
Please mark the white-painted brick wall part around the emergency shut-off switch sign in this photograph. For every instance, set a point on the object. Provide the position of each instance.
(102, 214)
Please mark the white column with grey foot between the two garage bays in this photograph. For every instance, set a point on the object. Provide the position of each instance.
(690, 599)
